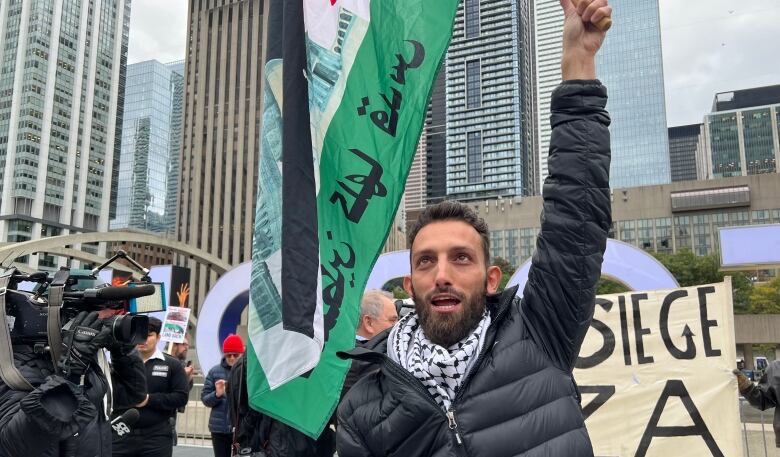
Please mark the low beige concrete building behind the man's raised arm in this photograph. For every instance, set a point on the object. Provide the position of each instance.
(662, 218)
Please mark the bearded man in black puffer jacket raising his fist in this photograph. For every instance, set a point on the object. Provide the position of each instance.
(472, 372)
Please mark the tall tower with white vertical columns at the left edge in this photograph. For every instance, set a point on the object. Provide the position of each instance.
(63, 69)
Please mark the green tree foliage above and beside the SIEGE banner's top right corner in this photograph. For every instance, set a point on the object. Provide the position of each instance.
(692, 270)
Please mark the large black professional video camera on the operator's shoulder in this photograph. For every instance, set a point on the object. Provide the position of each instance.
(27, 312)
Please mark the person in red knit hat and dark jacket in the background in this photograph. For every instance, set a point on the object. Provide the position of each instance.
(214, 397)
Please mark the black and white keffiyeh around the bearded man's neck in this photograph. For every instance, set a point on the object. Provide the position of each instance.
(441, 370)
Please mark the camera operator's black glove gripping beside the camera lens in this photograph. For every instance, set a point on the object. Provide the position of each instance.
(82, 337)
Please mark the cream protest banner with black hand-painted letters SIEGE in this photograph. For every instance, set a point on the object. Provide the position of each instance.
(655, 374)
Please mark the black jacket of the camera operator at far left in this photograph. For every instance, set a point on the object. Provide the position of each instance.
(42, 422)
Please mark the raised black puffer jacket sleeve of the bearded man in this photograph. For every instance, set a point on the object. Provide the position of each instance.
(558, 299)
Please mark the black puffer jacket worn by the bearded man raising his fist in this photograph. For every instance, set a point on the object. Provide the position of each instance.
(520, 398)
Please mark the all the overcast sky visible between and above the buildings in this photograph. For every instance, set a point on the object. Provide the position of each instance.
(709, 46)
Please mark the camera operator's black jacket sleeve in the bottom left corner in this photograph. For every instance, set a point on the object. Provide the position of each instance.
(33, 422)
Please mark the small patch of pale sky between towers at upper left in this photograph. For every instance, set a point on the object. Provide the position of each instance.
(158, 30)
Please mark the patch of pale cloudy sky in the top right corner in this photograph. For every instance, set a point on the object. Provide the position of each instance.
(716, 46)
